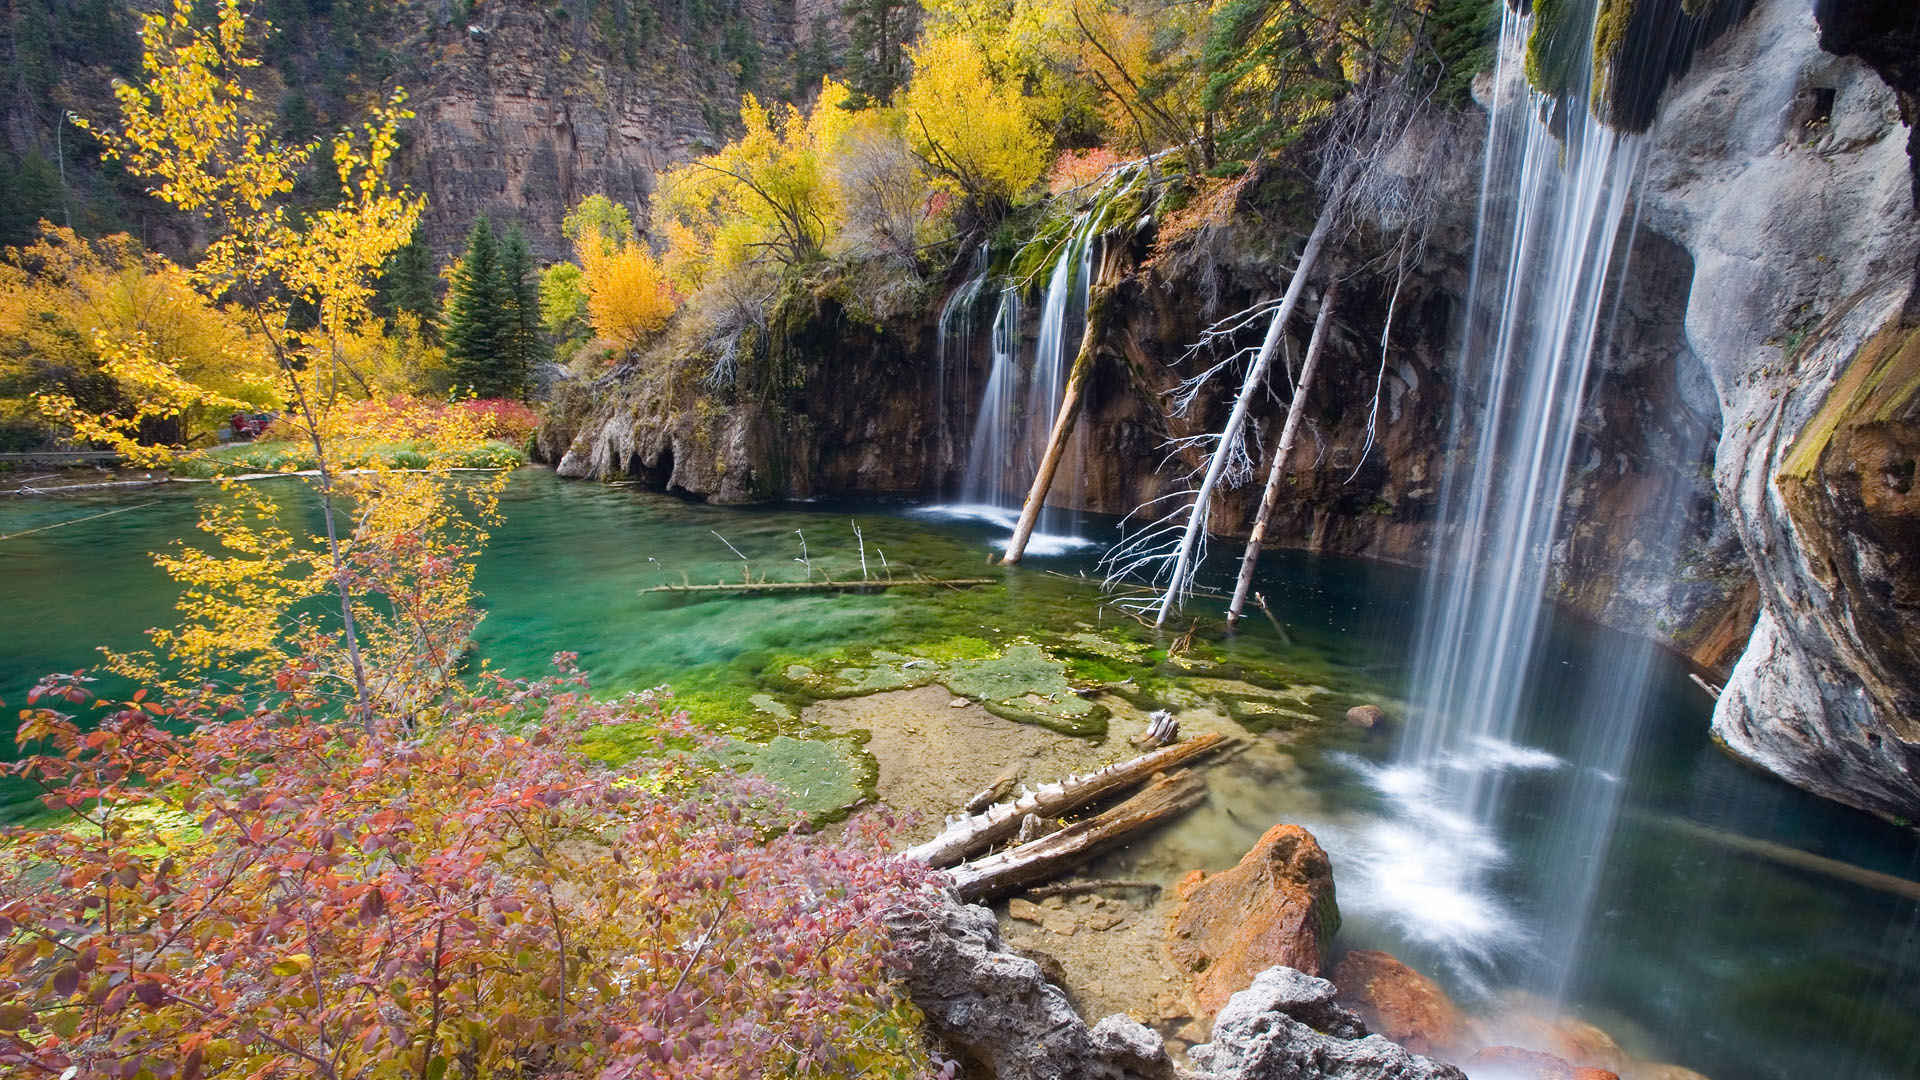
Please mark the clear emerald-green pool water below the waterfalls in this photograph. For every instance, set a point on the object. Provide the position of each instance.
(1723, 962)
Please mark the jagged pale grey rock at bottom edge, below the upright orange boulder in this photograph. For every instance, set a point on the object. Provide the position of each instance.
(1289, 1027)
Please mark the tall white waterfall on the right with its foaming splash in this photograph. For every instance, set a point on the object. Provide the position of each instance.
(1554, 203)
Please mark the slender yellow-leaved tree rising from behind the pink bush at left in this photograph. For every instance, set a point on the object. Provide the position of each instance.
(395, 551)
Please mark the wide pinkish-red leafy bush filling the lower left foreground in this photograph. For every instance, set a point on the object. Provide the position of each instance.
(276, 895)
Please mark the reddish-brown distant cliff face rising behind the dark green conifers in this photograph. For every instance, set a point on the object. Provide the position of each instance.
(523, 112)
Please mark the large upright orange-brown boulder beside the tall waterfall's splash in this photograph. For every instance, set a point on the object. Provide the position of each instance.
(1272, 910)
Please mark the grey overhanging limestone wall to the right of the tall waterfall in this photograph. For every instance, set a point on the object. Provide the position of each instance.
(1783, 172)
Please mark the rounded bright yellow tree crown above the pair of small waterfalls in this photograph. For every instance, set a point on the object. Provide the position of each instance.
(976, 134)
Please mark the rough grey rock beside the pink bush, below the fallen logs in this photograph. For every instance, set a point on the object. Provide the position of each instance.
(1001, 1016)
